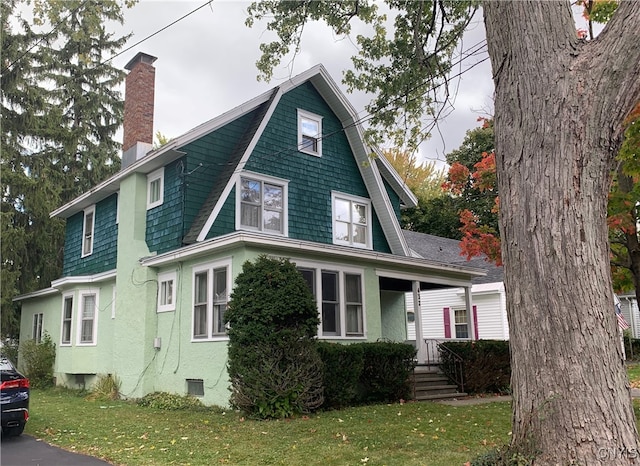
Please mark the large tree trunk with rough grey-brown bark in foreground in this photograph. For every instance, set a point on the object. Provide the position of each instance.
(559, 107)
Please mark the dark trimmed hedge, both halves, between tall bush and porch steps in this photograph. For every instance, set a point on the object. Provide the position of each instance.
(363, 373)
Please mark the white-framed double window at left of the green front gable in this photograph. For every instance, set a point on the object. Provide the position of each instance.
(262, 204)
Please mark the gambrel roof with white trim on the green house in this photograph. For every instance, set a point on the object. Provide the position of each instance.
(374, 168)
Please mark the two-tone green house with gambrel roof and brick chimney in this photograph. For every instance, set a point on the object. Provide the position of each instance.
(151, 253)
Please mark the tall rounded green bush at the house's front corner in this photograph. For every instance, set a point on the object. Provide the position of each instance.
(274, 366)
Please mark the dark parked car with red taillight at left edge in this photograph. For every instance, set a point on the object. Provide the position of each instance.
(14, 399)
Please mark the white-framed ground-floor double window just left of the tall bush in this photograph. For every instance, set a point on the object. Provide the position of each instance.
(211, 287)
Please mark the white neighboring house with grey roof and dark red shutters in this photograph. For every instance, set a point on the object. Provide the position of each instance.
(444, 313)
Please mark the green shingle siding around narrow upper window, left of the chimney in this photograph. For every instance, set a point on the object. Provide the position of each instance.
(105, 241)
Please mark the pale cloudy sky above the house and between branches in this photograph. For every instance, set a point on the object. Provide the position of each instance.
(206, 65)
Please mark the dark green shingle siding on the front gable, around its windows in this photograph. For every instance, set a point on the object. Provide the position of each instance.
(311, 178)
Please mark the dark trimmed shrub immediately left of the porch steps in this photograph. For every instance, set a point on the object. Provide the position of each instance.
(386, 370)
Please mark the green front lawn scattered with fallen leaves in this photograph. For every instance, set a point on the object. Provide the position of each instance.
(408, 434)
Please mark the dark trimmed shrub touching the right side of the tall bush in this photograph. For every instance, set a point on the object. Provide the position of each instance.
(342, 369)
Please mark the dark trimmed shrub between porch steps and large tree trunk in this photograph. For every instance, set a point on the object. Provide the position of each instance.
(486, 363)
